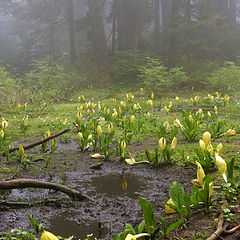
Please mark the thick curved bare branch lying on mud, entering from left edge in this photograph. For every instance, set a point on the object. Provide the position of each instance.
(32, 183)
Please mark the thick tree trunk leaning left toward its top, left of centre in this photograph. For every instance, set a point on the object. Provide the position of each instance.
(99, 41)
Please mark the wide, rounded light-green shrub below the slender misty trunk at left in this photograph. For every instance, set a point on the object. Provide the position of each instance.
(49, 81)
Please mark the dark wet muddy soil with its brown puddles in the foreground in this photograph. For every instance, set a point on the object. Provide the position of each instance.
(112, 206)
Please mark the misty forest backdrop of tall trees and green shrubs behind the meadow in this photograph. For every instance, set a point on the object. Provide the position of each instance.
(169, 44)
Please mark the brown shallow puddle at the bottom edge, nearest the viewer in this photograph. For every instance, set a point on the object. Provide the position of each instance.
(69, 224)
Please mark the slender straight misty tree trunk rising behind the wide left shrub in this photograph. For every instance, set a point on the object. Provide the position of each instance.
(71, 31)
